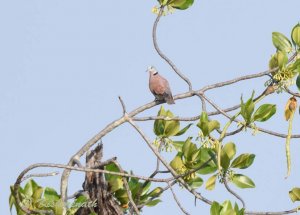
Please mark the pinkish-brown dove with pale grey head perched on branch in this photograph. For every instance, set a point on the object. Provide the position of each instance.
(159, 86)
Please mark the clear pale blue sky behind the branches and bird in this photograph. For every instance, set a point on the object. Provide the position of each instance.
(64, 63)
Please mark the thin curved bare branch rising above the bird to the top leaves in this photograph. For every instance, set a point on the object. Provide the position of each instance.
(164, 56)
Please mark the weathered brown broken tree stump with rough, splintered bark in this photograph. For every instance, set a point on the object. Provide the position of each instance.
(97, 189)
